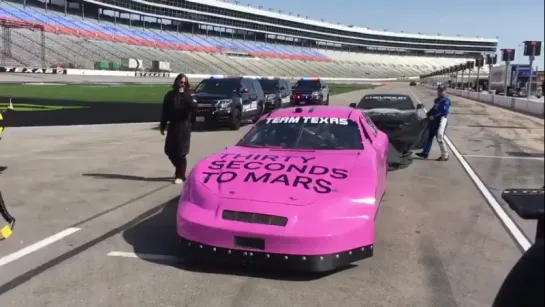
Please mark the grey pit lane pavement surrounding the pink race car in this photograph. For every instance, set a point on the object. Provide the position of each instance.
(104, 191)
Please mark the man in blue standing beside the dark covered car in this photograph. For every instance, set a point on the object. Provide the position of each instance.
(438, 124)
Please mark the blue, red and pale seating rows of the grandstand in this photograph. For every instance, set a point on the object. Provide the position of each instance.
(83, 42)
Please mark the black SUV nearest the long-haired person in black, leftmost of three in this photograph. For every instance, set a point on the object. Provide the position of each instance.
(228, 101)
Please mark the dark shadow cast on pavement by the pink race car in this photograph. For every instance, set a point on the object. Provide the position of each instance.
(156, 235)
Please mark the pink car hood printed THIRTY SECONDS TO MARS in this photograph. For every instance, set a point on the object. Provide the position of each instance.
(280, 176)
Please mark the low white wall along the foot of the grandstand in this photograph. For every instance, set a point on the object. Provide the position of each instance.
(110, 73)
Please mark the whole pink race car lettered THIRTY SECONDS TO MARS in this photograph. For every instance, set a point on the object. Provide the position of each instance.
(300, 190)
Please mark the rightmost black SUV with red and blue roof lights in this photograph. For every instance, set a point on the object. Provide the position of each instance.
(310, 91)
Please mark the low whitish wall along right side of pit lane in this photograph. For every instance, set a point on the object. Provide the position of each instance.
(522, 105)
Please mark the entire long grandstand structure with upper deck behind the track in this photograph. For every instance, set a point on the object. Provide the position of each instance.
(215, 37)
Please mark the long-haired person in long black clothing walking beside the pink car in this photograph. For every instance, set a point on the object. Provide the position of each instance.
(179, 110)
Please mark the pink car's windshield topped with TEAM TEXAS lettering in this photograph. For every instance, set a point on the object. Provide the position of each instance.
(304, 133)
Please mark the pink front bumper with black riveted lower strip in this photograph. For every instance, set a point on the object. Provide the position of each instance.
(204, 236)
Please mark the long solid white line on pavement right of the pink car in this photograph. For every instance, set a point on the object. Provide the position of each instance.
(506, 220)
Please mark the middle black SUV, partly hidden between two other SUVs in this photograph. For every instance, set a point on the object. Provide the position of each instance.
(277, 93)
